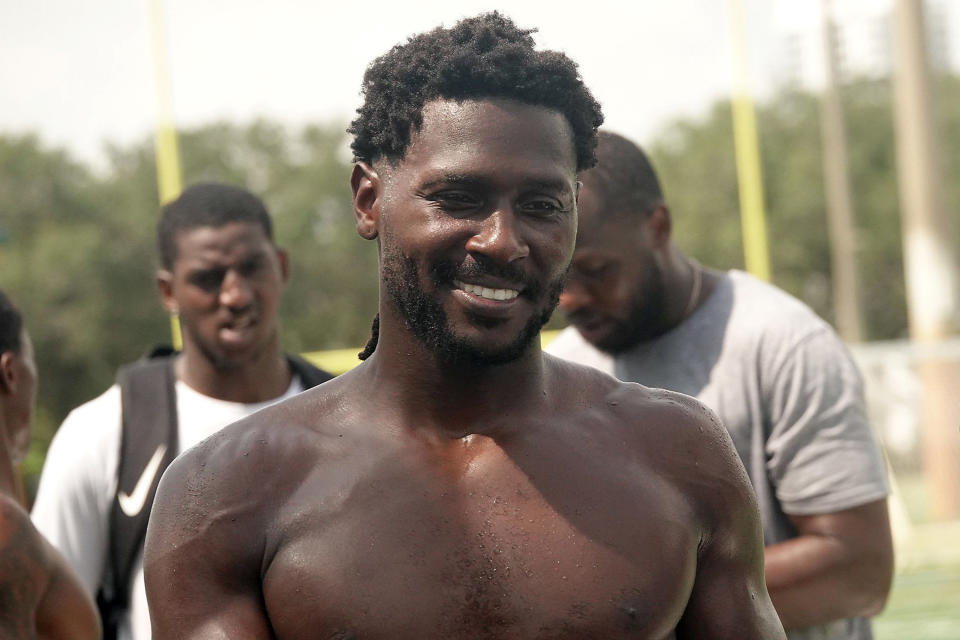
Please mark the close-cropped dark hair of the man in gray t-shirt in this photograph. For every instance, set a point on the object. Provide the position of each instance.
(623, 179)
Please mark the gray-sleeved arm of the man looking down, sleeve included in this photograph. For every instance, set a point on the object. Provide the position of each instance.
(823, 459)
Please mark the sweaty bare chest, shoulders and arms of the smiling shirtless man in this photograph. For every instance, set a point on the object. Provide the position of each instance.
(606, 511)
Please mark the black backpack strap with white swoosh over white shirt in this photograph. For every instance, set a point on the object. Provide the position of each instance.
(148, 444)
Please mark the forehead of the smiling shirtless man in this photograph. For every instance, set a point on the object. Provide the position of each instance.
(495, 136)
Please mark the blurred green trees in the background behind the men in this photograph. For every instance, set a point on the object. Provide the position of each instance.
(77, 246)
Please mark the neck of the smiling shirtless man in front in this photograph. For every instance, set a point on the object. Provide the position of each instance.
(452, 400)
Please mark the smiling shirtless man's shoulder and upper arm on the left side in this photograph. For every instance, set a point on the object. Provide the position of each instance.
(222, 510)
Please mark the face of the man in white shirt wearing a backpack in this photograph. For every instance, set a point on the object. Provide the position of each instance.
(226, 284)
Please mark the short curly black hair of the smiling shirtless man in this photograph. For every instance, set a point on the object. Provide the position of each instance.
(486, 56)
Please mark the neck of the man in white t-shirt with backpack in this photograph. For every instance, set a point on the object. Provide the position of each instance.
(262, 378)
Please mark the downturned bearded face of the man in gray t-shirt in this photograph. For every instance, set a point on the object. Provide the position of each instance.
(615, 291)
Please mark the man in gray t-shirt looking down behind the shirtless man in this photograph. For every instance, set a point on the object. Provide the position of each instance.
(777, 375)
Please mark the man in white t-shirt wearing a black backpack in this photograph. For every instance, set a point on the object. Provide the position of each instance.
(223, 275)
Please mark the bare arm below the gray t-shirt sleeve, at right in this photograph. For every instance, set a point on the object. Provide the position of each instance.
(840, 566)
